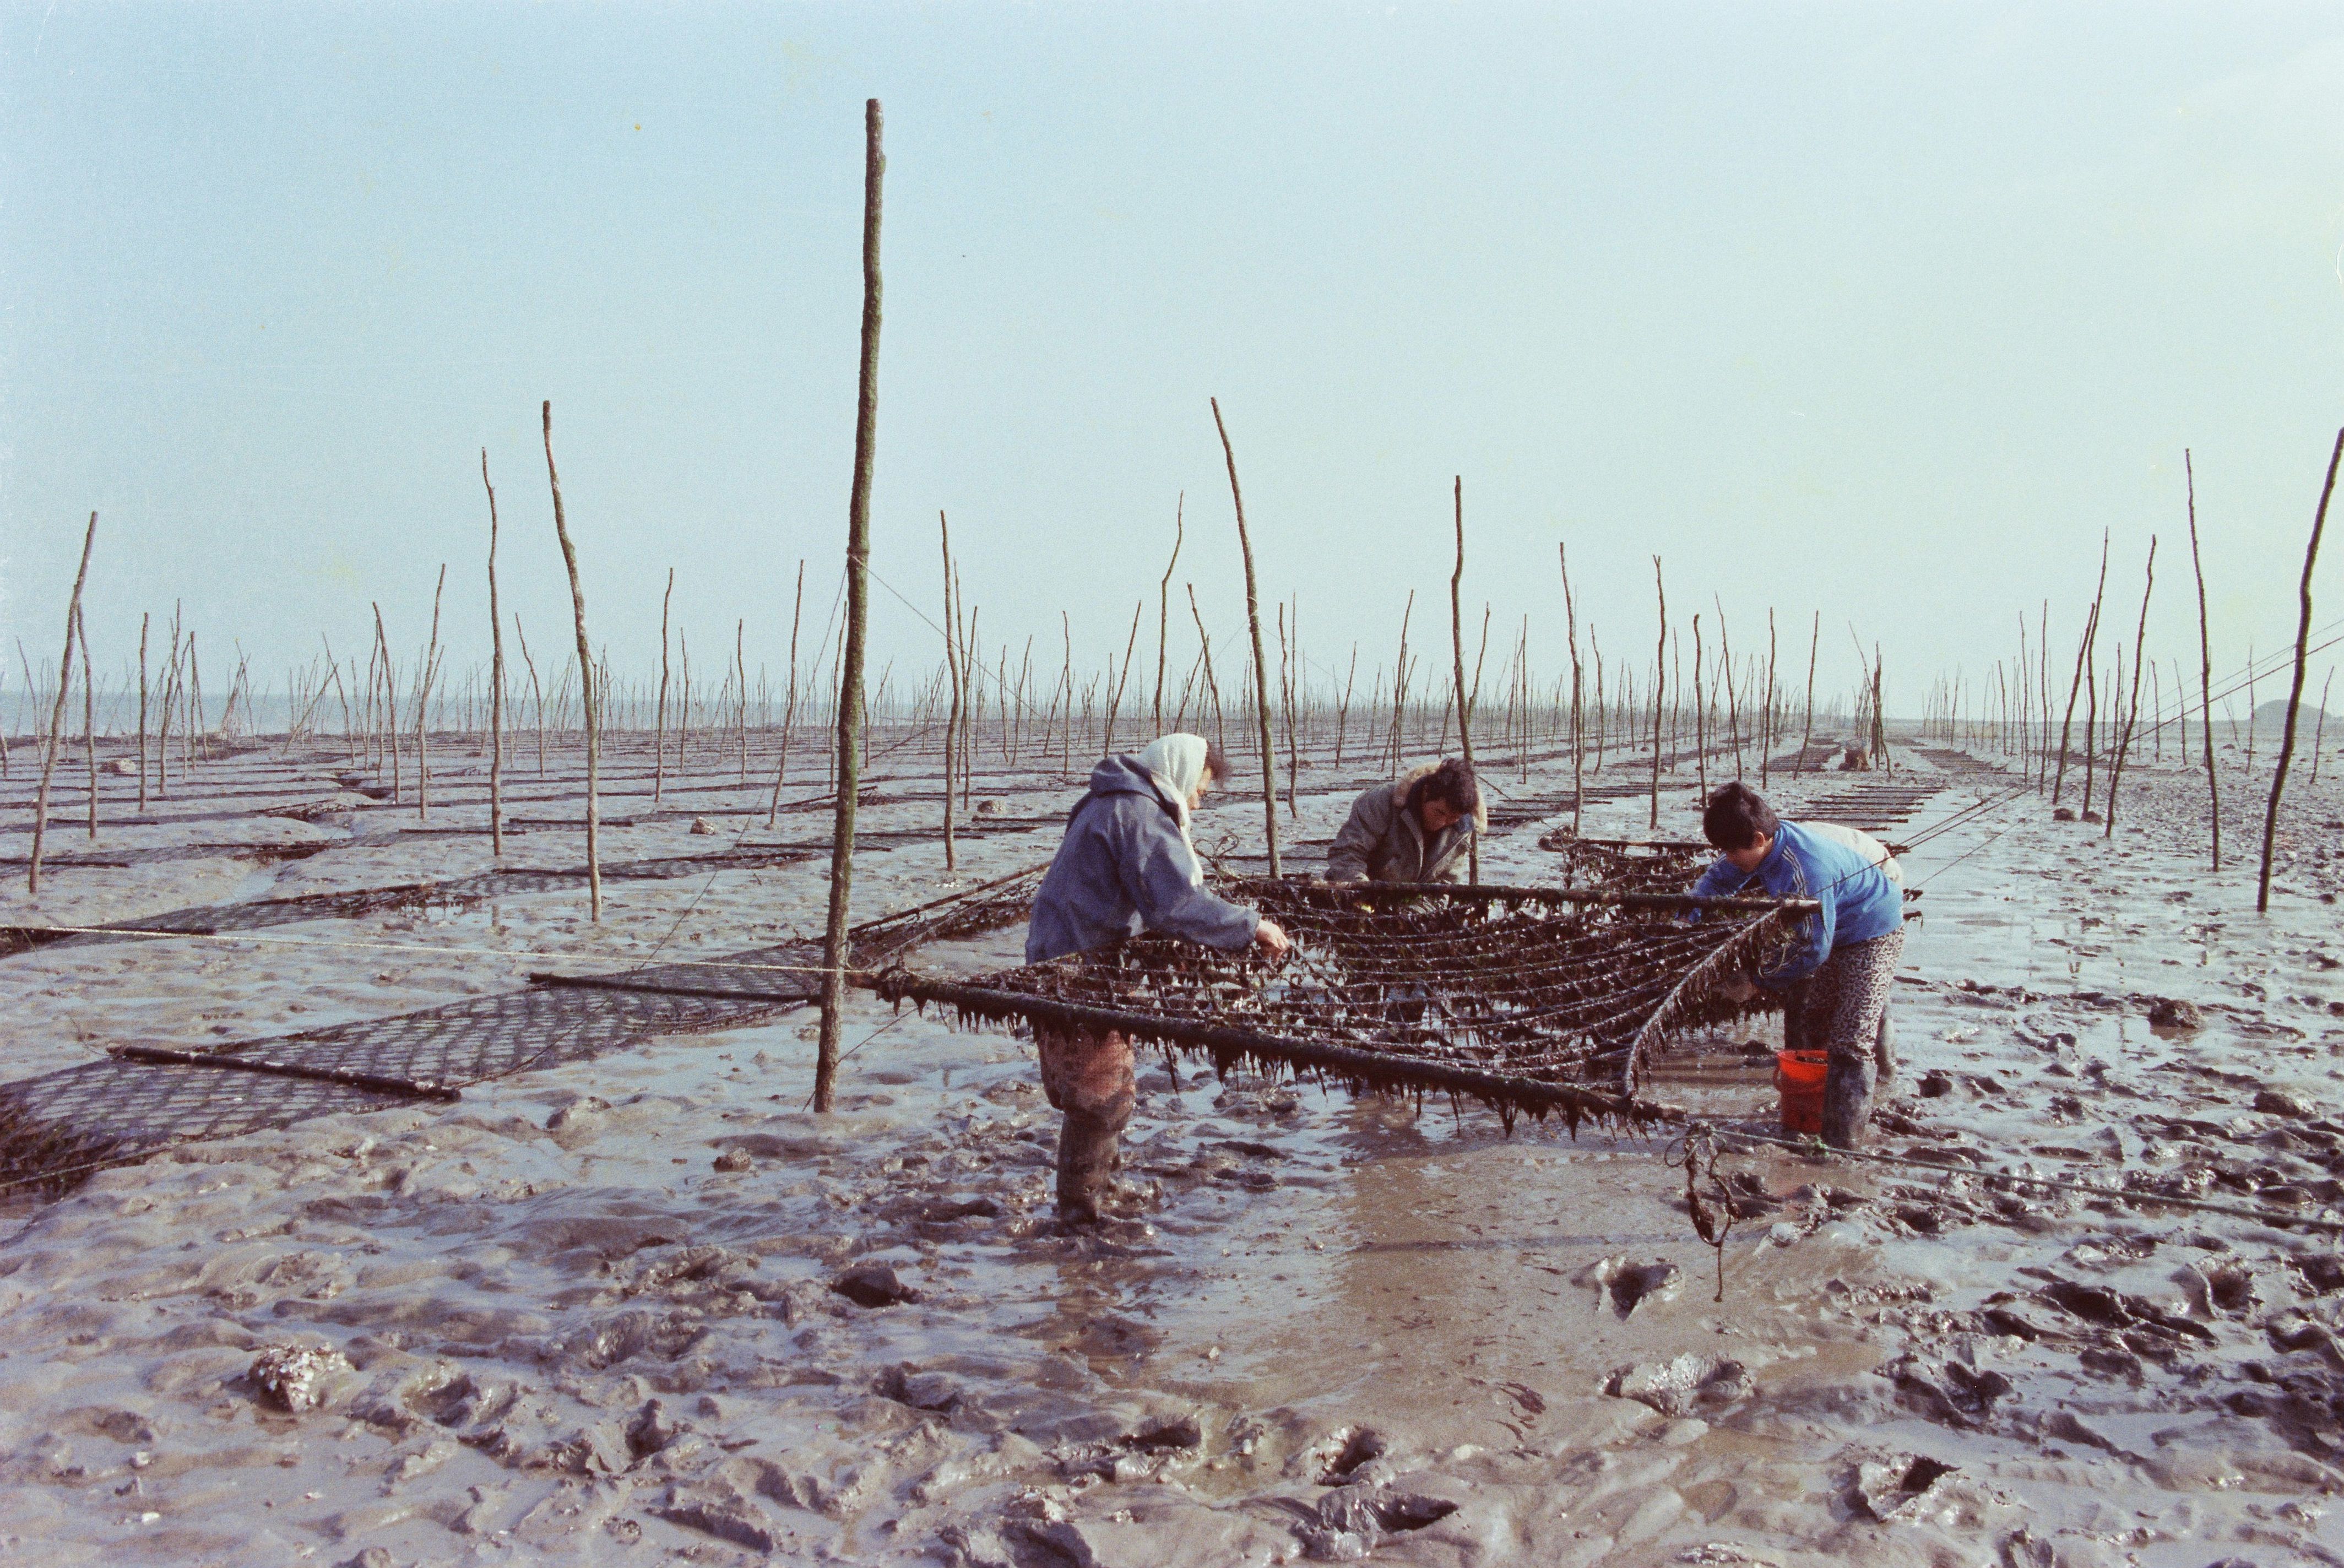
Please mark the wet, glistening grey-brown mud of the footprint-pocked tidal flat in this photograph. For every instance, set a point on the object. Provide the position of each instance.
(594, 1316)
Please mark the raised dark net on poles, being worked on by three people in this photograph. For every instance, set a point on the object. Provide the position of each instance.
(1529, 1000)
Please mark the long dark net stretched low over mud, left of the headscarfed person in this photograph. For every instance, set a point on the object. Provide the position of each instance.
(137, 1103)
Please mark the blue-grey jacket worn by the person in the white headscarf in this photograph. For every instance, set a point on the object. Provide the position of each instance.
(1126, 868)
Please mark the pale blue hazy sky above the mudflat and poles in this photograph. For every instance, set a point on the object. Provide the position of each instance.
(1865, 313)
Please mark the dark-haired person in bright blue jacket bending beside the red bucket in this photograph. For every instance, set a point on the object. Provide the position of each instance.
(1841, 960)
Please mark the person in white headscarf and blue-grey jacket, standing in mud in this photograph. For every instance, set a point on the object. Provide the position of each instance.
(1124, 868)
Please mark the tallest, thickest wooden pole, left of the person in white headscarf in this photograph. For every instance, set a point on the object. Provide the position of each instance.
(859, 536)
